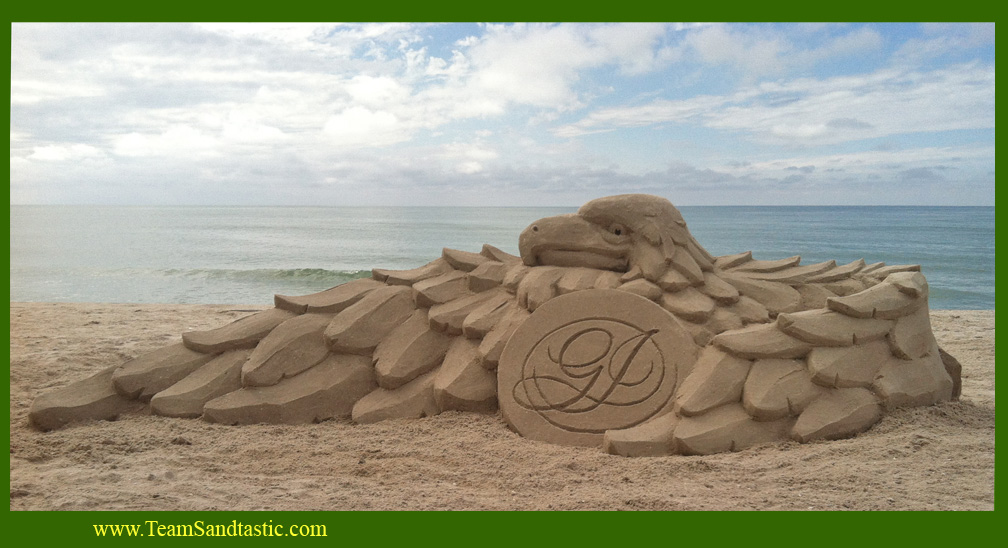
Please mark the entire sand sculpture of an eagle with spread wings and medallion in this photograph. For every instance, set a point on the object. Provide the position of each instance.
(614, 329)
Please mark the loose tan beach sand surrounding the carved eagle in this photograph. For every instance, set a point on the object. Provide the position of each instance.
(940, 458)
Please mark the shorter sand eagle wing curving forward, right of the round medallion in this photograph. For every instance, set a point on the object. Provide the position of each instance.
(839, 347)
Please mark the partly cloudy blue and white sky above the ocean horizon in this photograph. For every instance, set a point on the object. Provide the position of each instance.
(459, 114)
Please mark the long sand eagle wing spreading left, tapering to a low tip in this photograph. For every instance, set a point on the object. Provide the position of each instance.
(404, 344)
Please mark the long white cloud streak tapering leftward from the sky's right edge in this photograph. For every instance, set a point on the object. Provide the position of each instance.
(826, 111)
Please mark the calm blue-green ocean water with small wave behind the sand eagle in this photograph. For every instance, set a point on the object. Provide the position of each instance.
(244, 255)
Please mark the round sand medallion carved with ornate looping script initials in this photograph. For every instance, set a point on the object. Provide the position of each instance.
(591, 362)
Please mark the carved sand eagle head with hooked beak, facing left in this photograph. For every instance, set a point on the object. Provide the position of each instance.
(620, 233)
